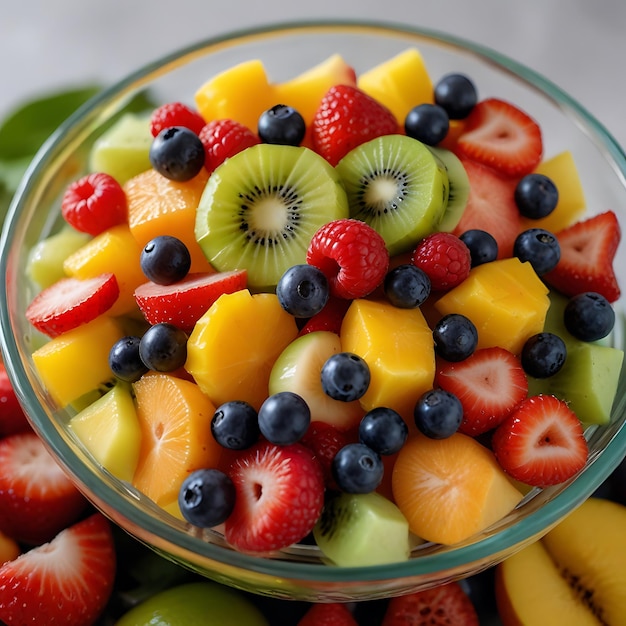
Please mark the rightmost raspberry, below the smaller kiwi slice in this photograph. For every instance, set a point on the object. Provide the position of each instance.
(444, 258)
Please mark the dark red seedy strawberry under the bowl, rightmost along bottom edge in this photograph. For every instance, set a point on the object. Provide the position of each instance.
(445, 605)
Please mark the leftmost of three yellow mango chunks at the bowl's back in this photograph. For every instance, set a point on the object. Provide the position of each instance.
(241, 93)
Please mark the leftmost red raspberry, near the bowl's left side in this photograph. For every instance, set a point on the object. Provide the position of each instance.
(94, 203)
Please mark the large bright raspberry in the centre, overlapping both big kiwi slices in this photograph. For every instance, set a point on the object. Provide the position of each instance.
(352, 255)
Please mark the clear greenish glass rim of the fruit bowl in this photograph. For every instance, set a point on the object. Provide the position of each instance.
(517, 533)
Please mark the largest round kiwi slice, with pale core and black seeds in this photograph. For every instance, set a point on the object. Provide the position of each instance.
(261, 208)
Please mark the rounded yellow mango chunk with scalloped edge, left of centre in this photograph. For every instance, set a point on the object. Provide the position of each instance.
(233, 346)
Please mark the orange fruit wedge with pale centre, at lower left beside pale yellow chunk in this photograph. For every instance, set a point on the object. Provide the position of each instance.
(175, 421)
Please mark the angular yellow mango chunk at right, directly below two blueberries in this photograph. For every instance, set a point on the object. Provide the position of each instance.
(506, 301)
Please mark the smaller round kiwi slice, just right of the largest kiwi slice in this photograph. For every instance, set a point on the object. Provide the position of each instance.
(398, 186)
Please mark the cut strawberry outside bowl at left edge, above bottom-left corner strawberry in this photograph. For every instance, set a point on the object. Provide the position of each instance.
(37, 499)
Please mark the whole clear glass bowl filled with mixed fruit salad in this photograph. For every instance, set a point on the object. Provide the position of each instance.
(336, 317)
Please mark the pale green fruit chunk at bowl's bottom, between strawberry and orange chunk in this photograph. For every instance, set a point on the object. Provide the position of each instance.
(357, 530)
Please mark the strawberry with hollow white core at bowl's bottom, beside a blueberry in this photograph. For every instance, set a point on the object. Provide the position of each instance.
(279, 497)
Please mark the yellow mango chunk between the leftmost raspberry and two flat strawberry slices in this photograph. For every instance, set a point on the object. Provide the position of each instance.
(111, 251)
